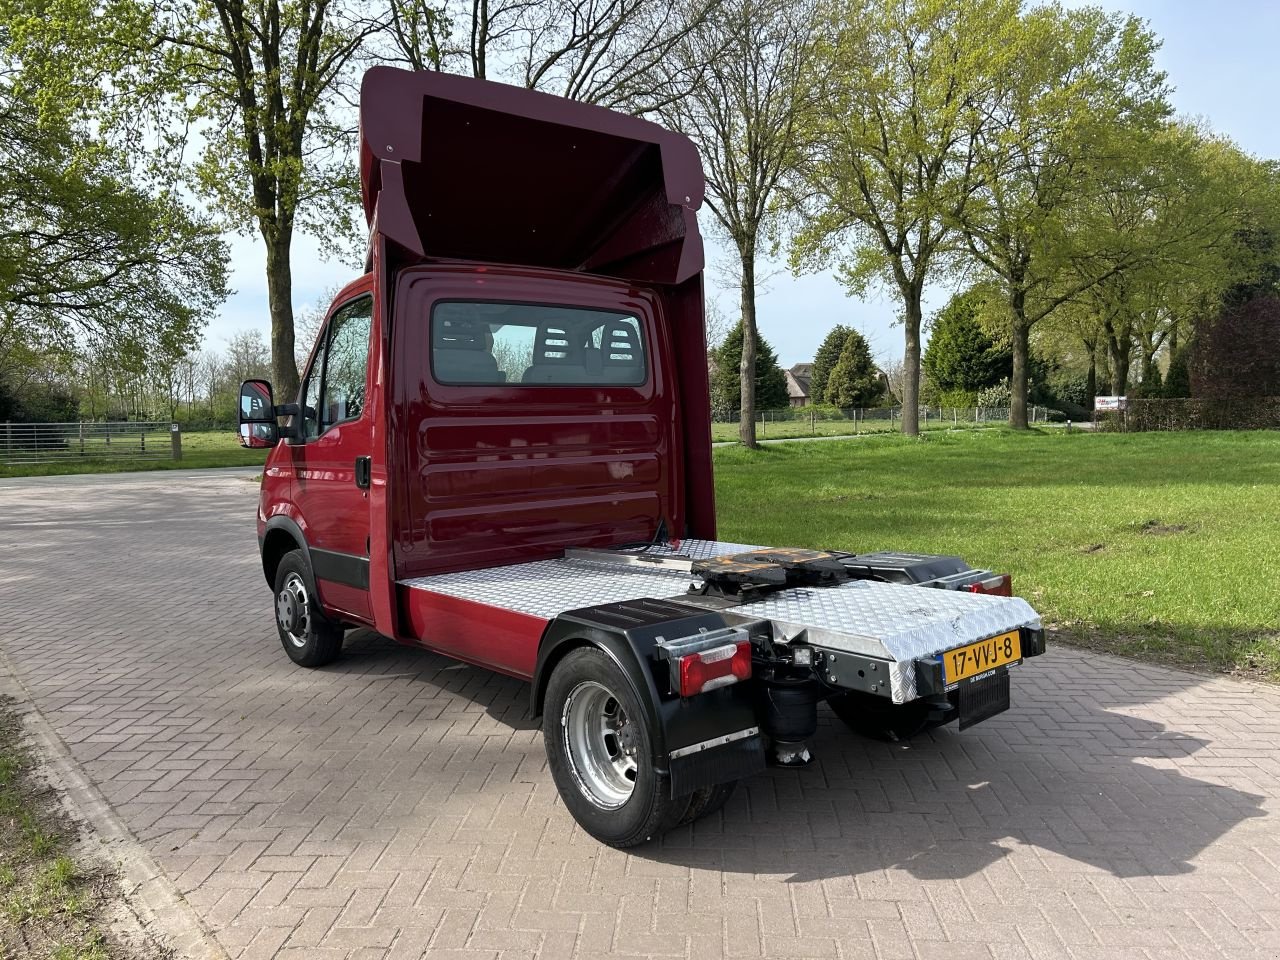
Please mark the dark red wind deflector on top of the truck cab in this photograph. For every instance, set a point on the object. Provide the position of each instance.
(464, 170)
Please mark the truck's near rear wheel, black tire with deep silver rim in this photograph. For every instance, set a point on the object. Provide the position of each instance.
(592, 774)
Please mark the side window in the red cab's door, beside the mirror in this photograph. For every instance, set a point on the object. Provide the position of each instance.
(335, 387)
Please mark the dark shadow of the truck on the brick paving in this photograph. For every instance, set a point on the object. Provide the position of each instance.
(1066, 771)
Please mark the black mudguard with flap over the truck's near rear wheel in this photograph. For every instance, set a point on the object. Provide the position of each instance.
(629, 633)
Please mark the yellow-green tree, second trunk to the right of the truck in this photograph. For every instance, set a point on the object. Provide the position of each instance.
(889, 153)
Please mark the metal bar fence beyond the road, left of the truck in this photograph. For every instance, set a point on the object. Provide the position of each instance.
(53, 444)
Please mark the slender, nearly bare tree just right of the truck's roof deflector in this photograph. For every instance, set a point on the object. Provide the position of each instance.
(743, 116)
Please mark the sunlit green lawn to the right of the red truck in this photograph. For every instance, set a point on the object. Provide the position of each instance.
(1156, 546)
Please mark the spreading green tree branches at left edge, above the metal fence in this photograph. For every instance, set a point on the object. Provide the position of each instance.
(88, 252)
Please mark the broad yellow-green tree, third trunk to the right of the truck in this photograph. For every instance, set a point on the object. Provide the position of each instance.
(1078, 89)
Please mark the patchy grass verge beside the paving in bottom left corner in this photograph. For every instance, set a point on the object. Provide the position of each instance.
(49, 904)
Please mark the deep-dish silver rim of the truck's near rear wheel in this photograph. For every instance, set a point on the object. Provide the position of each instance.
(602, 744)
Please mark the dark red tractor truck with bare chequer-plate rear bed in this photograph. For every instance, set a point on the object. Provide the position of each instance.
(501, 452)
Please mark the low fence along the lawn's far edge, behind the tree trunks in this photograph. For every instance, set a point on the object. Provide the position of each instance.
(830, 422)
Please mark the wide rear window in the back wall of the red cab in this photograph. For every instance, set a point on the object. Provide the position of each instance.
(477, 344)
